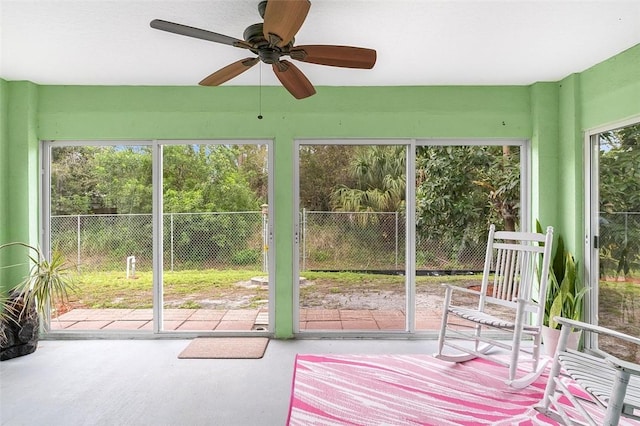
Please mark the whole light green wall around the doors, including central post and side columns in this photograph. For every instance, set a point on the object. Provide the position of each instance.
(552, 115)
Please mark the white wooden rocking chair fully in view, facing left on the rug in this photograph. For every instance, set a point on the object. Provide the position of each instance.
(510, 307)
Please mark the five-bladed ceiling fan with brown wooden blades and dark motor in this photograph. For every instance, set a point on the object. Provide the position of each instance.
(274, 39)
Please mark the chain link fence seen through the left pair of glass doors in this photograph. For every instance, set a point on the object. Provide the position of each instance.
(191, 240)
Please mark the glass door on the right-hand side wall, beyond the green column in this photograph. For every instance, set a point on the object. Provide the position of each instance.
(615, 230)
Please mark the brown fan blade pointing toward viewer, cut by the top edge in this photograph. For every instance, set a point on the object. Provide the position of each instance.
(283, 19)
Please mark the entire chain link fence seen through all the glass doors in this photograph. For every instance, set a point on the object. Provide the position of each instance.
(331, 241)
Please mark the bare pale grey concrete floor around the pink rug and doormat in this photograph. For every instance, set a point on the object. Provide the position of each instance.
(142, 382)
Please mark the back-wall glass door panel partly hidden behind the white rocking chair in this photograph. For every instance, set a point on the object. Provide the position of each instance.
(461, 187)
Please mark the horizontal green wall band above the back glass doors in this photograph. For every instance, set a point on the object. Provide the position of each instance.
(77, 112)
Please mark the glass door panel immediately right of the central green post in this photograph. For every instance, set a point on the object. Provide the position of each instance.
(351, 227)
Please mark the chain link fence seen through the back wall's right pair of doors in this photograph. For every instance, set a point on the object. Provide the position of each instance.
(374, 241)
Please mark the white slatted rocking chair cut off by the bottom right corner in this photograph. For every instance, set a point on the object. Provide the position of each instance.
(613, 384)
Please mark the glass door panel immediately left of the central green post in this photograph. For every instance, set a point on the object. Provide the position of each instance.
(215, 228)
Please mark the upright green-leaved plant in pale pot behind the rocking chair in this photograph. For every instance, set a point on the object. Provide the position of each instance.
(565, 296)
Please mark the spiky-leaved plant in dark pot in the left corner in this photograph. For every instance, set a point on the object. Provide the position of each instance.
(22, 305)
